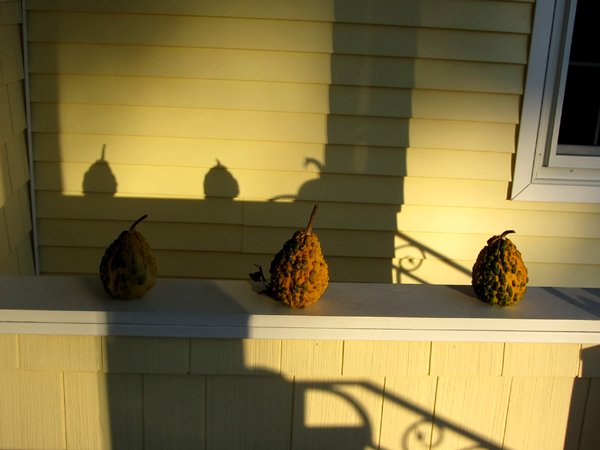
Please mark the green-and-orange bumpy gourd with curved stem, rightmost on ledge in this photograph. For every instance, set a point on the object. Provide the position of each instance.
(499, 274)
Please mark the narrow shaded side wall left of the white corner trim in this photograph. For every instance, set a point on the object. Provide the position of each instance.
(16, 251)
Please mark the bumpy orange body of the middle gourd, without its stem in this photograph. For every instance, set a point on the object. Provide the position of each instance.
(299, 273)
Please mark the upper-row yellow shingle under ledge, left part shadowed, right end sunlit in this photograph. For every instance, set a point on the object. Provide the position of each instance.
(233, 356)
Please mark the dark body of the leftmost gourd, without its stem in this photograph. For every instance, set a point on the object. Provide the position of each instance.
(128, 270)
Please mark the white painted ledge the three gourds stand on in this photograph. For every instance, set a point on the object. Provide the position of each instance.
(347, 311)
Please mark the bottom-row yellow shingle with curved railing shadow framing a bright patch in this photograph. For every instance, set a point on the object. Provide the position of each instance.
(335, 413)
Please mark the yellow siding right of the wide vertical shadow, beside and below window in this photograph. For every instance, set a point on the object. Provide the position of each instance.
(469, 81)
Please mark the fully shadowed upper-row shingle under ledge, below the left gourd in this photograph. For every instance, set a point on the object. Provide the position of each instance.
(145, 355)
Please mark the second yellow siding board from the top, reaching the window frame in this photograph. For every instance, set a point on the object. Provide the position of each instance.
(300, 36)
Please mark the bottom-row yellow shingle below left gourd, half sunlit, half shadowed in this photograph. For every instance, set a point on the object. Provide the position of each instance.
(103, 411)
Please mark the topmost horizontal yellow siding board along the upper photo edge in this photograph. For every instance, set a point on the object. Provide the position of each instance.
(484, 15)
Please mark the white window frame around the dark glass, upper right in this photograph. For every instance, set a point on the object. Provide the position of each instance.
(540, 174)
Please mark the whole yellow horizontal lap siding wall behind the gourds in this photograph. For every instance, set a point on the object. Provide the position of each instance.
(226, 123)
